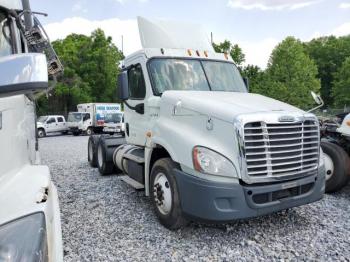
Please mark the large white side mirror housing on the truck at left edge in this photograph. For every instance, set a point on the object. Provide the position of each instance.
(23, 74)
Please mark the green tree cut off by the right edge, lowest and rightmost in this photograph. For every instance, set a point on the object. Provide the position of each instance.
(341, 85)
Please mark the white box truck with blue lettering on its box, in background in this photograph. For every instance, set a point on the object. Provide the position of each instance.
(90, 117)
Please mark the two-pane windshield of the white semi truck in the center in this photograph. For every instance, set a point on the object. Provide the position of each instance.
(201, 75)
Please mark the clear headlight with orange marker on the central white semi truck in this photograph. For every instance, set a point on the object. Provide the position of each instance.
(210, 162)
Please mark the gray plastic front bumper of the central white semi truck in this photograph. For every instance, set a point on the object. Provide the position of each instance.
(210, 201)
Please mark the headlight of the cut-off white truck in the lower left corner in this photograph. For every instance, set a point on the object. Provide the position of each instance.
(24, 239)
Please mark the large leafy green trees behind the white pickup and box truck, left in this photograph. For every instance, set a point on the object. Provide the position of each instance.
(91, 65)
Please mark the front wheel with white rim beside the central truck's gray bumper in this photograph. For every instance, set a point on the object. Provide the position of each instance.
(165, 194)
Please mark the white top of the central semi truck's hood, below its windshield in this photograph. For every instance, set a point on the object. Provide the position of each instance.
(223, 105)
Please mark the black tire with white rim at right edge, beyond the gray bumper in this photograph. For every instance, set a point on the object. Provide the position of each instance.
(336, 164)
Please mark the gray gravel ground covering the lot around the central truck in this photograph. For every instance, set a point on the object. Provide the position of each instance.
(103, 219)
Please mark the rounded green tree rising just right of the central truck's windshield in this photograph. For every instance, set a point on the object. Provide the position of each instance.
(291, 74)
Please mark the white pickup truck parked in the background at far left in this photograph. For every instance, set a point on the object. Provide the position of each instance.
(51, 124)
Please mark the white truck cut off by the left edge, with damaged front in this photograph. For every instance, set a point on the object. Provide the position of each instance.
(30, 228)
